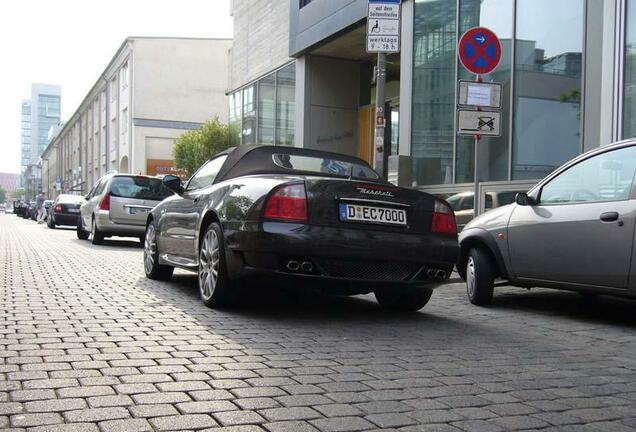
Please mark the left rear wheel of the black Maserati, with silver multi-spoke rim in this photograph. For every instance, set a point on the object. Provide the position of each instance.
(214, 283)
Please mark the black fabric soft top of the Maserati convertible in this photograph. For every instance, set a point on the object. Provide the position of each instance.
(253, 159)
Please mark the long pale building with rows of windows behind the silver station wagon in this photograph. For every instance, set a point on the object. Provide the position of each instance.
(153, 90)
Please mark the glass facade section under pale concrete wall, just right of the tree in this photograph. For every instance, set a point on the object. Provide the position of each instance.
(264, 111)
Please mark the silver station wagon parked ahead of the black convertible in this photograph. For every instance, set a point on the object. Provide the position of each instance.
(118, 205)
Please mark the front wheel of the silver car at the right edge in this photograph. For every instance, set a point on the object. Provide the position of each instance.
(480, 277)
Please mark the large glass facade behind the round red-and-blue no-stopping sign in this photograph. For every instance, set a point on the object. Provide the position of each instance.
(542, 49)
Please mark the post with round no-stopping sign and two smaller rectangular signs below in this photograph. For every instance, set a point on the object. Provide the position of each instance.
(479, 51)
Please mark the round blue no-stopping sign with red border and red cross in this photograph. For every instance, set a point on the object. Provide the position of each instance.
(479, 50)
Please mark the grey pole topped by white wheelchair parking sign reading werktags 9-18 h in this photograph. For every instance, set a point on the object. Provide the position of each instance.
(383, 36)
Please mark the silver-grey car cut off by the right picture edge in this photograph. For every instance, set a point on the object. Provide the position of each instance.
(574, 230)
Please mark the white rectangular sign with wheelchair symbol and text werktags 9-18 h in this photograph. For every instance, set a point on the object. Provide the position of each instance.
(383, 26)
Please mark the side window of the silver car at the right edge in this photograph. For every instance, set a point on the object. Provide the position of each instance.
(604, 177)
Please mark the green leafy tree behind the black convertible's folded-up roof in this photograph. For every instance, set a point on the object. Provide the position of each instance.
(194, 147)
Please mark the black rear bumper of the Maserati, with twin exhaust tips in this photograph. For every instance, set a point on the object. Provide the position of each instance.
(343, 258)
